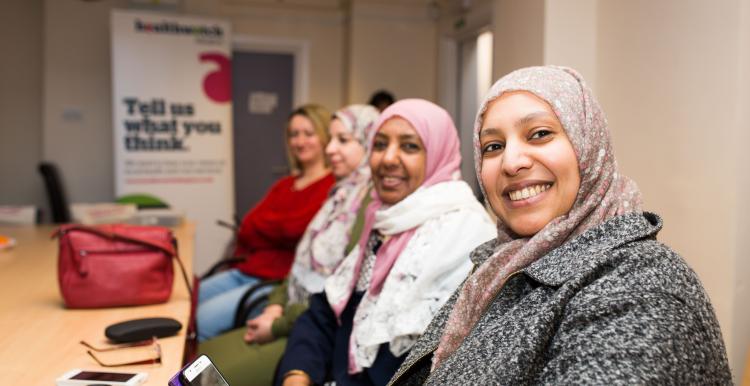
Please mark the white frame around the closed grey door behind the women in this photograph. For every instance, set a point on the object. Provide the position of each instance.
(299, 48)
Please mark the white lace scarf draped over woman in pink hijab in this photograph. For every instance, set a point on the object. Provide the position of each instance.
(450, 223)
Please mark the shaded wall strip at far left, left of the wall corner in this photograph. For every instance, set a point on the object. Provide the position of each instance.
(21, 103)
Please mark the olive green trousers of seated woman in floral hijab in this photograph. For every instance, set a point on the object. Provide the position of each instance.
(244, 364)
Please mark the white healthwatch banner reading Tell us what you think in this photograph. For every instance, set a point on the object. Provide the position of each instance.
(172, 118)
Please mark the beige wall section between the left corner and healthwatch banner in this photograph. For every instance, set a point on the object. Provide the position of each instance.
(77, 115)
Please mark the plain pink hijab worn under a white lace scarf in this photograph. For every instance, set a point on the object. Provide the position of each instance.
(440, 138)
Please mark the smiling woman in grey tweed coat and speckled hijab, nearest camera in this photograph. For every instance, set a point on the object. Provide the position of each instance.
(575, 289)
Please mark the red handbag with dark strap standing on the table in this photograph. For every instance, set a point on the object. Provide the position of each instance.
(116, 265)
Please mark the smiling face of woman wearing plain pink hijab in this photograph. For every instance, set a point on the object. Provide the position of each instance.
(397, 161)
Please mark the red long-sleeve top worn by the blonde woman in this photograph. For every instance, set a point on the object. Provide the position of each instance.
(270, 231)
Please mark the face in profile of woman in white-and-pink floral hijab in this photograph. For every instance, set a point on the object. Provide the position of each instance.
(344, 151)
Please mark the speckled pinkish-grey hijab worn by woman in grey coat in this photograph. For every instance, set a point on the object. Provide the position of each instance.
(603, 193)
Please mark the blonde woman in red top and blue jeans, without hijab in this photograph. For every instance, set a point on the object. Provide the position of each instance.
(270, 231)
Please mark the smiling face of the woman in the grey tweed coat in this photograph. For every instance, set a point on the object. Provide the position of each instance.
(529, 168)
